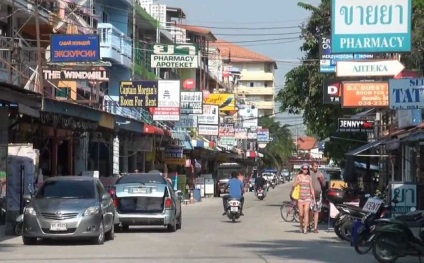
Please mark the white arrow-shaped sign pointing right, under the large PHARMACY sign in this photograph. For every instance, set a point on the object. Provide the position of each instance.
(368, 68)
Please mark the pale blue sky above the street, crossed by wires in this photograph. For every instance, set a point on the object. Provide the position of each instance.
(278, 20)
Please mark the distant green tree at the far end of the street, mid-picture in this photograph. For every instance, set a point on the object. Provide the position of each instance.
(277, 152)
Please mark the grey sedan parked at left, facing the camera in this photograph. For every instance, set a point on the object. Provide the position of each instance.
(69, 207)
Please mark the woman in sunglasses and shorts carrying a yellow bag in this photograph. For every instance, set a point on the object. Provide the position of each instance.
(306, 196)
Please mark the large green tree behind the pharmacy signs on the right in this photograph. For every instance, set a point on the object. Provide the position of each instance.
(304, 84)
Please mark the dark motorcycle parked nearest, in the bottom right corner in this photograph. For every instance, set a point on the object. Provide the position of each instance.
(399, 237)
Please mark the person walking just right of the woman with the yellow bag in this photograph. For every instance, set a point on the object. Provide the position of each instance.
(318, 182)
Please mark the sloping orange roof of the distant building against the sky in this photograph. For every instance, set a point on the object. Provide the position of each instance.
(240, 54)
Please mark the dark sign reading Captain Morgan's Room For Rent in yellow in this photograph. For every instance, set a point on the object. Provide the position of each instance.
(142, 93)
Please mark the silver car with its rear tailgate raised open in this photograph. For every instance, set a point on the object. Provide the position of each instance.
(147, 199)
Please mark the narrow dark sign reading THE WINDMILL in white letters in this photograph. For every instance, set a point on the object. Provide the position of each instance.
(95, 75)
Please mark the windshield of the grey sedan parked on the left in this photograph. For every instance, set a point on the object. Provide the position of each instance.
(81, 189)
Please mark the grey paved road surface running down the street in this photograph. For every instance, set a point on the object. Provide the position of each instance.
(260, 236)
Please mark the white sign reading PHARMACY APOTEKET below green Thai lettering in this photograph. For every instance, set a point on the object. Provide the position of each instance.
(174, 56)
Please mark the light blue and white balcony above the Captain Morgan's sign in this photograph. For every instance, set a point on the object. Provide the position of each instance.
(115, 45)
